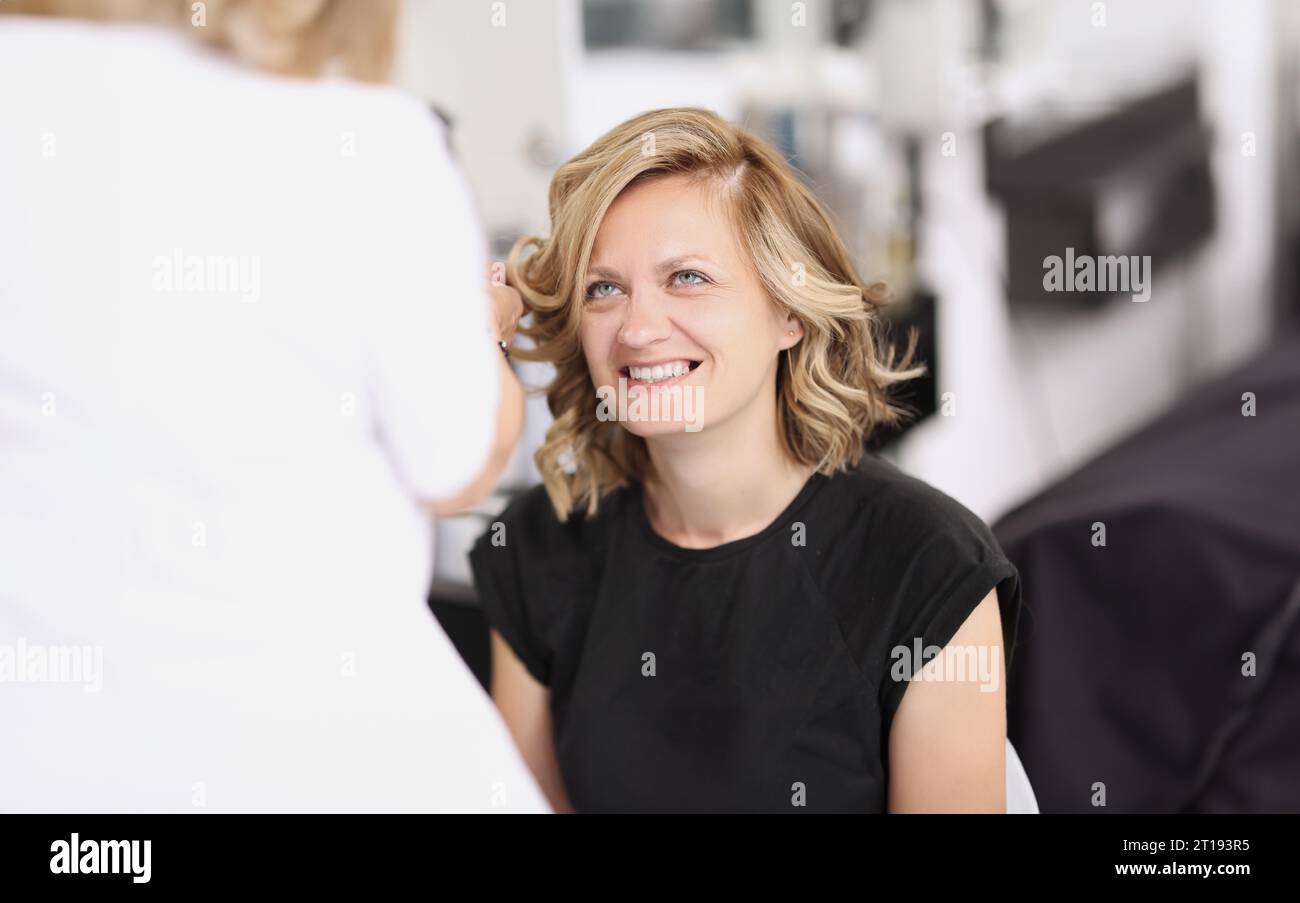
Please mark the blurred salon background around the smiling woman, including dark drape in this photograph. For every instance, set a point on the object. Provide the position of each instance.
(960, 144)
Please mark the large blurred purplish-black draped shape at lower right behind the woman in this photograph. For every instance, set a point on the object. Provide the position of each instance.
(1130, 661)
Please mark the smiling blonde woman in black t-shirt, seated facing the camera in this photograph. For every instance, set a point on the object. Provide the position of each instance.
(710, 619)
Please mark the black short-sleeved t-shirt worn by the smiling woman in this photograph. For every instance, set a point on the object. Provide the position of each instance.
(753, 676)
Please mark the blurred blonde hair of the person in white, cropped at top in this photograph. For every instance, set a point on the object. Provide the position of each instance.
(288, 37)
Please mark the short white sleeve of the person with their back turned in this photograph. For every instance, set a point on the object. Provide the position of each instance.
(434, 366)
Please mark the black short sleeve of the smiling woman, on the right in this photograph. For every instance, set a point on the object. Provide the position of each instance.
(942, 580)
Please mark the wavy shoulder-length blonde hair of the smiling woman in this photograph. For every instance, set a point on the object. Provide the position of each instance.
(831, 389)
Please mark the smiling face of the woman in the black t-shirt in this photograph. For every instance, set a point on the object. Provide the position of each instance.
(675, 309)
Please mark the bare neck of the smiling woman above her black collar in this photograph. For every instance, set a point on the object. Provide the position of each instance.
(721, 485)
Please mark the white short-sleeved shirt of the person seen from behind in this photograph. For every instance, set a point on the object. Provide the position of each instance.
(244, 331)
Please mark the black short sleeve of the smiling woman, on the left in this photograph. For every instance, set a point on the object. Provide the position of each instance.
(502, 594)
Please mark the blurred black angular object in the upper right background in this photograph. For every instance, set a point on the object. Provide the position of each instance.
(1152, 157)
